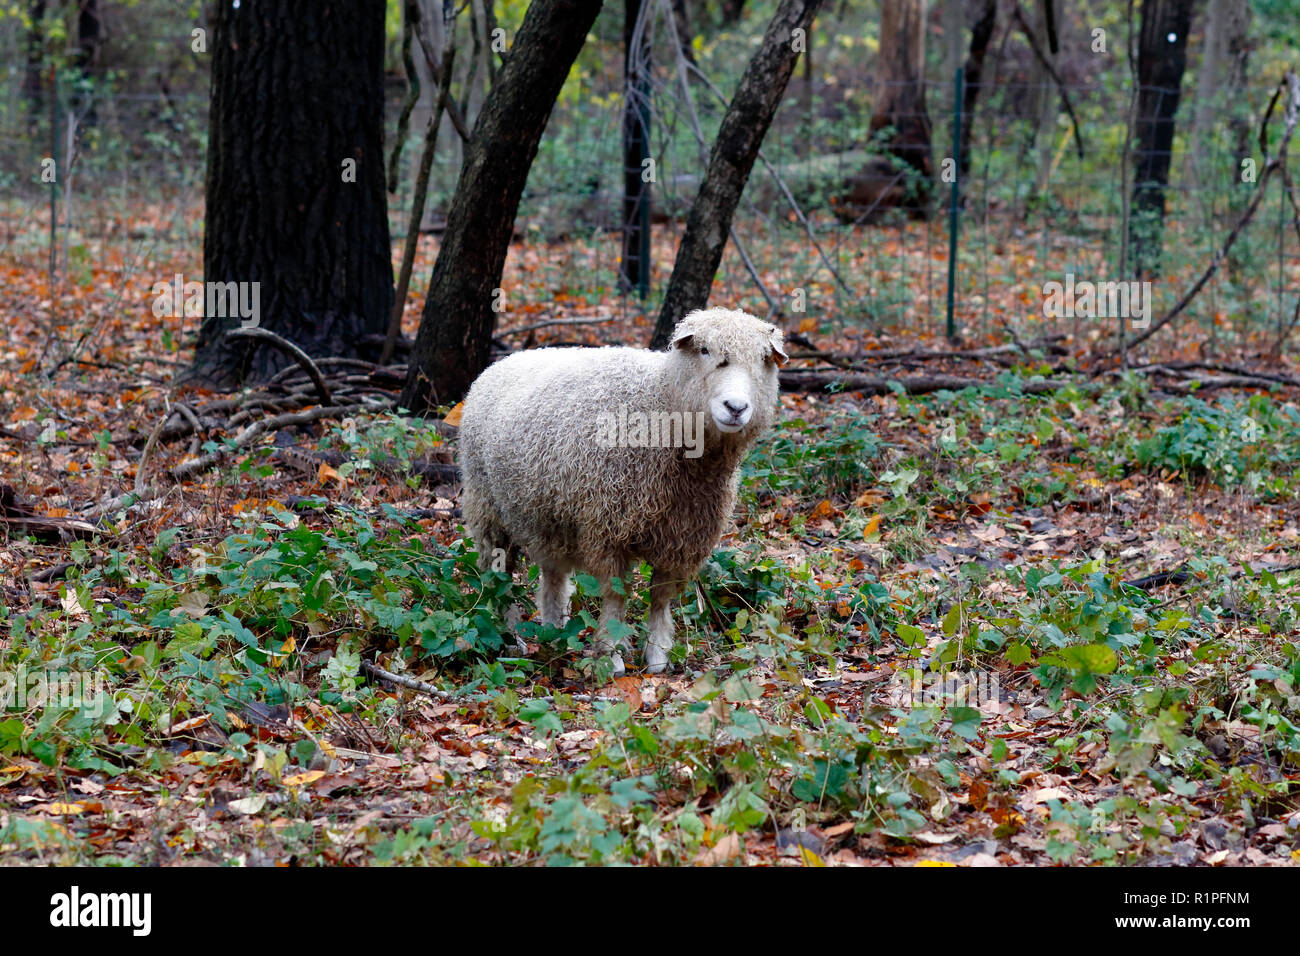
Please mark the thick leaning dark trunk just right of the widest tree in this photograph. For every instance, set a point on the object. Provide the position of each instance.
(454, 340)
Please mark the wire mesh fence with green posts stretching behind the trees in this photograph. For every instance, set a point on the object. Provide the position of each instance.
(1041, 204)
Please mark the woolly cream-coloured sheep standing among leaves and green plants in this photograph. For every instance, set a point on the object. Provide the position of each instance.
(597, 458)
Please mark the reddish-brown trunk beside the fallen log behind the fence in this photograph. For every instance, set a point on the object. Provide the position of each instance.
(900, 97)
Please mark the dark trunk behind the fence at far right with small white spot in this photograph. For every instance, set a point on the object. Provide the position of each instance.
(1162, 58)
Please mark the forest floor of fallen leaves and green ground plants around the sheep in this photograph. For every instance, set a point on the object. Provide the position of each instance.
(1004, 625)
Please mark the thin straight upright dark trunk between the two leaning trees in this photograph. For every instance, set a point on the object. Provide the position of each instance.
(635, 263)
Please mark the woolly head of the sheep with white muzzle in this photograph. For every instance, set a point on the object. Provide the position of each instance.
(726, 364)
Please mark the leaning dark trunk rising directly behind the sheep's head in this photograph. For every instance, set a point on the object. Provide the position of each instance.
(733, 158)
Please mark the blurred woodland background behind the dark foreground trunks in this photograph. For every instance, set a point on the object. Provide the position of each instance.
(116, 93)
